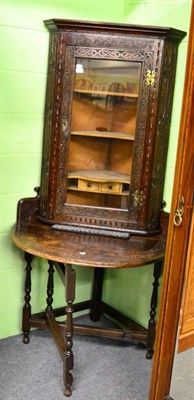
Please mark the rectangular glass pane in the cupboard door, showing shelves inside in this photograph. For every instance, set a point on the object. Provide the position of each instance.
(103, 126)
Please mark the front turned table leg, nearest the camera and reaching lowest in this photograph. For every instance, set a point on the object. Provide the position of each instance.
(68, 356)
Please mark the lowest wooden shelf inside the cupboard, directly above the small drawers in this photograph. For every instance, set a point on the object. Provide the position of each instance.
(104, 175)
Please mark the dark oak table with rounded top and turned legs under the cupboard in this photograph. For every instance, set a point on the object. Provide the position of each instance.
(65, 249)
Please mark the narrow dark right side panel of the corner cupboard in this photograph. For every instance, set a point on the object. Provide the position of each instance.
(165, 98)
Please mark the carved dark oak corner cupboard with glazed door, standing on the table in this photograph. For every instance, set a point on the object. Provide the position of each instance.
(107, 114)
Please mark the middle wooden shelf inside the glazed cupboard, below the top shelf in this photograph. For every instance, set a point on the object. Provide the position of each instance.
(105, 134)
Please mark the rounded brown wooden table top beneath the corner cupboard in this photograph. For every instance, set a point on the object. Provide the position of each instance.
(89, 250)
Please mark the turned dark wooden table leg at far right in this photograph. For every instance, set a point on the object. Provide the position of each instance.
(153, 305)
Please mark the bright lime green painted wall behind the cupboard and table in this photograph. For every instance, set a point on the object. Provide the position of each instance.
(23, 66)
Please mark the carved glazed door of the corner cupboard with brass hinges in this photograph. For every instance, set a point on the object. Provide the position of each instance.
(106, 137)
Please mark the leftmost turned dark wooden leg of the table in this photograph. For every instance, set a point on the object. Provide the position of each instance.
(27, 306)
